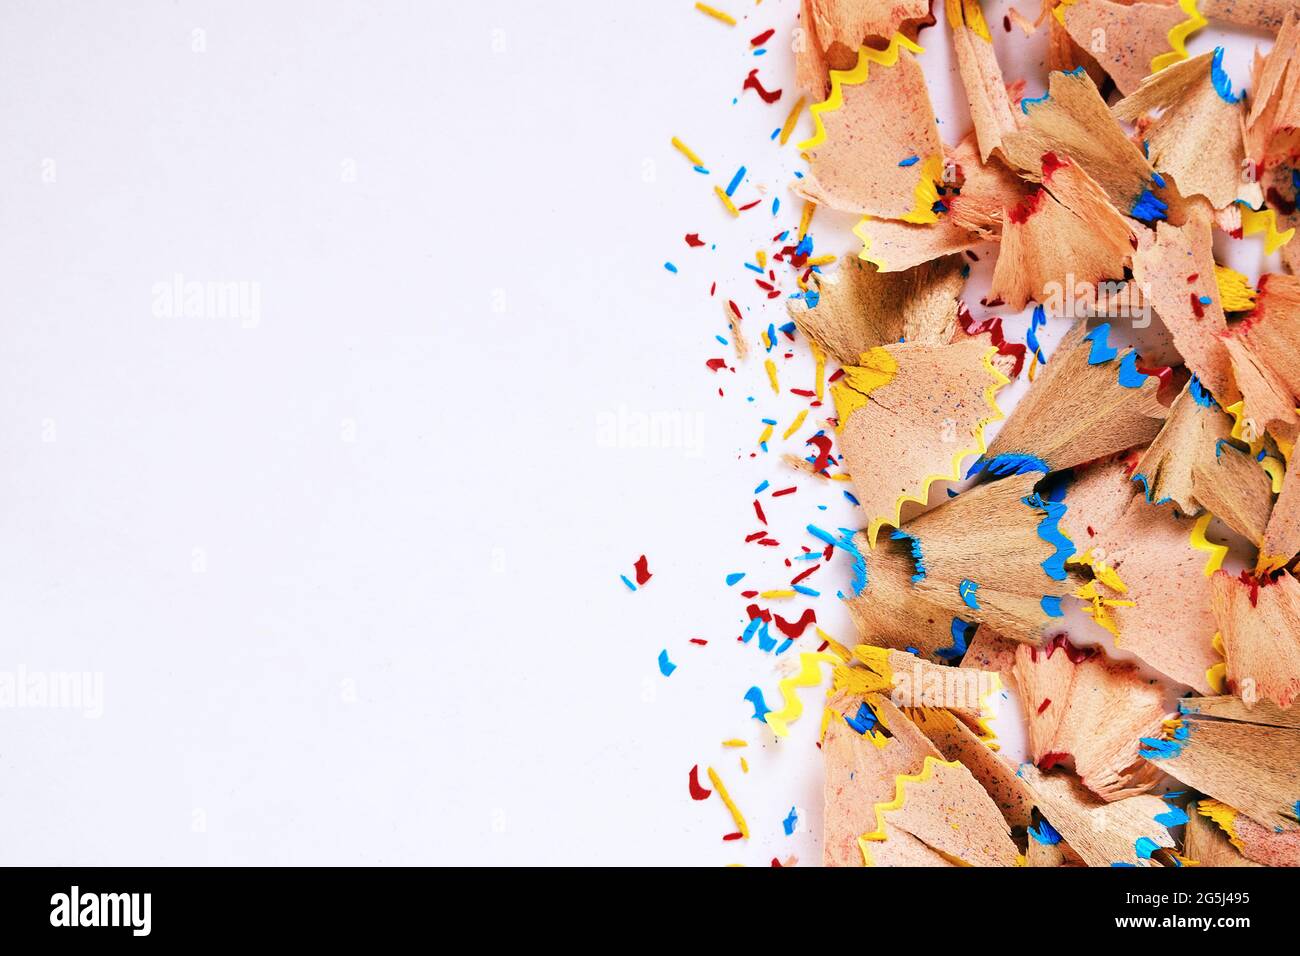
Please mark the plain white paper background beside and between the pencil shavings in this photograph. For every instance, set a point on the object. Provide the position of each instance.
(352, 576)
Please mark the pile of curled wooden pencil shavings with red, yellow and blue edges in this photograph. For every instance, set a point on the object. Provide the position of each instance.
(1097, 495)
